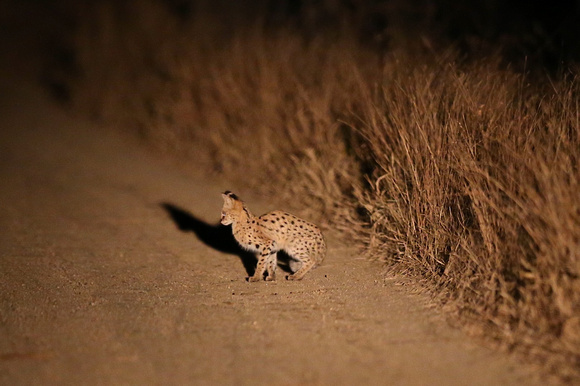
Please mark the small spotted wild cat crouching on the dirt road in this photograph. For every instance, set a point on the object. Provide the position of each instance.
(271, 232)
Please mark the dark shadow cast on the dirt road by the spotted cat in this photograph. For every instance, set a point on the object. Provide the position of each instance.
(218, 237)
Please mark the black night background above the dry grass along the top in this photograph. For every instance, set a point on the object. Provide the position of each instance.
(541, 34)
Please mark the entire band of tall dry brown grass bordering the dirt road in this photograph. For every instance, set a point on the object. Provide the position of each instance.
(464, 174)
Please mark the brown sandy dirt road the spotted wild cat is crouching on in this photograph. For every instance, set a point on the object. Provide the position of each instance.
(113, 271)
